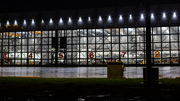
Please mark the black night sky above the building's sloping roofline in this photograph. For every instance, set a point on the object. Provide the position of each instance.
(8, 6)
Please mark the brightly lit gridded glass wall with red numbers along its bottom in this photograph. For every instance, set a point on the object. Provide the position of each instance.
(89, 46)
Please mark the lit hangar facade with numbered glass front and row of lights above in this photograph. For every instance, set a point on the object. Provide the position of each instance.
(90, 37)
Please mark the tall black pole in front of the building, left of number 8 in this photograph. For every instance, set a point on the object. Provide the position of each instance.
(148, 45)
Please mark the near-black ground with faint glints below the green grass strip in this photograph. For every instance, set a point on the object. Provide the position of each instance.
(86, 92)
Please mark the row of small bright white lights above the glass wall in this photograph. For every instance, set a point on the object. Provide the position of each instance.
(100, 19)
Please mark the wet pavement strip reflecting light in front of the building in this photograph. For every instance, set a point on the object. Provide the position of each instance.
(83, 72)
